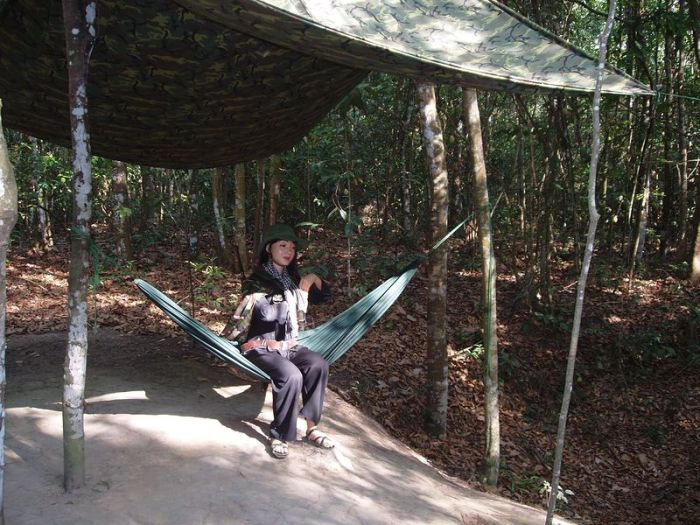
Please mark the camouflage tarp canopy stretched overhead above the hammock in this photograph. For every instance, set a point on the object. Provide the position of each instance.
(198, 83)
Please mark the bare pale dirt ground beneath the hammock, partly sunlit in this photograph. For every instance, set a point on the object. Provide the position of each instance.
(173, 437)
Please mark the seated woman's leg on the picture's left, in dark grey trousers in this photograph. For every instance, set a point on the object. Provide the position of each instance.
(287, 382)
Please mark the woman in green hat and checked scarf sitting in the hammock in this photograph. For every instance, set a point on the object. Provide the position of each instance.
(274, 310)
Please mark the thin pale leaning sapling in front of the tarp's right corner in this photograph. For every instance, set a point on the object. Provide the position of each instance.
(587, 257)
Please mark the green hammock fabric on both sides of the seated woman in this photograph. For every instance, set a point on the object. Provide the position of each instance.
(332, 339)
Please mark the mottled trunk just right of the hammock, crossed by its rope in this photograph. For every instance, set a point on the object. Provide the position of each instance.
(436, 360)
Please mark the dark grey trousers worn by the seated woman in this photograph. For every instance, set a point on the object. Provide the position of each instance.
(301, 371)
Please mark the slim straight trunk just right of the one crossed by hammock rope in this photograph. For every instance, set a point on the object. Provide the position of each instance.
(488, 299)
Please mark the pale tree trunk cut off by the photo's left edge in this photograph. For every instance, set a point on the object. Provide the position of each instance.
(8, 219)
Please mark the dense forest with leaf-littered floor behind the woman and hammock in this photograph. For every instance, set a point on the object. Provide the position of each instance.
(359, 187)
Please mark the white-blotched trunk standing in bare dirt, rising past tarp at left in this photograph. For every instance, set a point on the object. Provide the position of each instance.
(79, 21)
